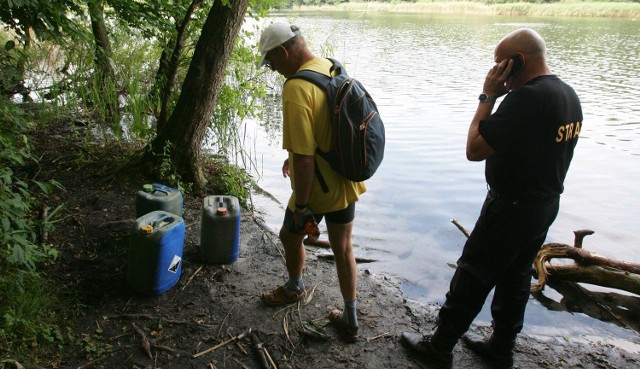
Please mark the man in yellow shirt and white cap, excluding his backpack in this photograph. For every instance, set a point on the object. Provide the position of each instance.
(306, 127)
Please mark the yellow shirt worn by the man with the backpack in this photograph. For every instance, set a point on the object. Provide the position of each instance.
(307, 126)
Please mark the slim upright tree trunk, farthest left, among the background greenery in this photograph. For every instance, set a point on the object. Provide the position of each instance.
(103, 58)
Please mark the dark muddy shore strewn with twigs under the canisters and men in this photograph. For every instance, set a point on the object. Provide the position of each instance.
(197, 322)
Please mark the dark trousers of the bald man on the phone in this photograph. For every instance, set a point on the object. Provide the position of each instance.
(498, 254)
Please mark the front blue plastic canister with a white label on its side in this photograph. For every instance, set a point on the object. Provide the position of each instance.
(155, 252)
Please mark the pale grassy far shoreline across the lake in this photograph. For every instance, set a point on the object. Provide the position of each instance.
(582, 9)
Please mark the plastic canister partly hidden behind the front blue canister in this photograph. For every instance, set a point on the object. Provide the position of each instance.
(158, 197)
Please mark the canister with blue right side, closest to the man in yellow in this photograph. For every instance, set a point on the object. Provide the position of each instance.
(220, 230)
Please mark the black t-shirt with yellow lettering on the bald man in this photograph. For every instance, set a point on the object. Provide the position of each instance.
(533, 133)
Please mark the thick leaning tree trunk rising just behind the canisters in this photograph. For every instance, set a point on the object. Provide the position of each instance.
(187, 125)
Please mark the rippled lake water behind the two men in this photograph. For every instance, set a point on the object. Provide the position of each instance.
(425, 73)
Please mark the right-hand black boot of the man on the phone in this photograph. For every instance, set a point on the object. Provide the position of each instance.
(496, 351)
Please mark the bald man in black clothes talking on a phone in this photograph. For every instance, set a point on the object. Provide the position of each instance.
(528, 144)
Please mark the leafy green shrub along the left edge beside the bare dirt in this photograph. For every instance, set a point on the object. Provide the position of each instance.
(28, 310)
